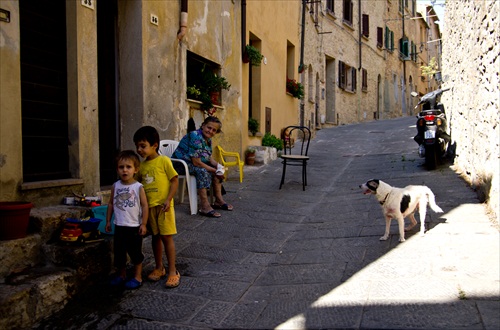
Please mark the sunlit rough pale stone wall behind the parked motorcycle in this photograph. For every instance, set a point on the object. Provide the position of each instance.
(471, 63)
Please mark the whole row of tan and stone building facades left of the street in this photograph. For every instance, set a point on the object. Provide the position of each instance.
(74, 92)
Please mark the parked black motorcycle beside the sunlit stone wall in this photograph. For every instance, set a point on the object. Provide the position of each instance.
(431, 137)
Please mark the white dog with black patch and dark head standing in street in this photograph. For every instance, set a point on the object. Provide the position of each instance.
(399, 203)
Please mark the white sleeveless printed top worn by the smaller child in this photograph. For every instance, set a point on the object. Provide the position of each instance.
(127, 204)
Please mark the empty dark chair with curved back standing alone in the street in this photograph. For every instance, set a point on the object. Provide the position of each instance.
(295, 153)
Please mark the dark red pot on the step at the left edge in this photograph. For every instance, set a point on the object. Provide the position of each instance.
(14, 219)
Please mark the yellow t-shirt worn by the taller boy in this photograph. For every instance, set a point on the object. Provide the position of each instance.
(155, 176)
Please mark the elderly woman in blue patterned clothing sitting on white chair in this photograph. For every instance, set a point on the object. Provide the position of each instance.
(195, 148)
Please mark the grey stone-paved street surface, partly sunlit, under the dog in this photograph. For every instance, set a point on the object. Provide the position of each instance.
(293, 259)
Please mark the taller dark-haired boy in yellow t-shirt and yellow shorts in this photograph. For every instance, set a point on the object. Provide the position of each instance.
(160, 181)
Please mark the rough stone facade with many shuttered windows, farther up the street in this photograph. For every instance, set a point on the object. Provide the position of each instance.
(363, 59)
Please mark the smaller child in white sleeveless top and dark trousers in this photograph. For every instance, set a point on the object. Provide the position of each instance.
(129, 204)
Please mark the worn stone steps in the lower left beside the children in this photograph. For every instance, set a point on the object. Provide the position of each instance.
(39, 274)
